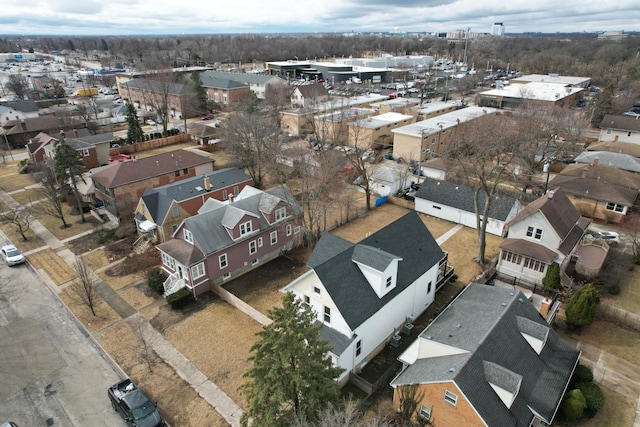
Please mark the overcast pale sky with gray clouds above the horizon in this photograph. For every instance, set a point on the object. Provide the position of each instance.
(125, 17)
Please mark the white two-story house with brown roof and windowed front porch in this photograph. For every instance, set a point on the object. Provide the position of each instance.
(545, 231)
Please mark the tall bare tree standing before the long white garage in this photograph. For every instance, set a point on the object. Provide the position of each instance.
(484, 151)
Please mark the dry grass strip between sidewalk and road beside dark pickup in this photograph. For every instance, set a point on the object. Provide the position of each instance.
(177, 401)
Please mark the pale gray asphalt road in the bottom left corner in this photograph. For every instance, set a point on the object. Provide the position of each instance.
(51, 372)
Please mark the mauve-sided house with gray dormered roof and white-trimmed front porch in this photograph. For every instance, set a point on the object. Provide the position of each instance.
(226, 240)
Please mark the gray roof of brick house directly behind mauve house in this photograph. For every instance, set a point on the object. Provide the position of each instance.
(158, 200)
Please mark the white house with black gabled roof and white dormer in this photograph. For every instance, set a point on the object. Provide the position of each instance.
(364, 293)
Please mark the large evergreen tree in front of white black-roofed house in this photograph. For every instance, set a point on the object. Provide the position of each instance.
(291, 372)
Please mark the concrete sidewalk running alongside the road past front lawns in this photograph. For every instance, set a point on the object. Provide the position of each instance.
(205, 388)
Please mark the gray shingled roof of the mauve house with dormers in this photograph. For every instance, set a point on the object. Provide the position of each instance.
(207, 227)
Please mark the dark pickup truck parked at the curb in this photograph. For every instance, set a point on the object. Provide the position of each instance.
(133, 405)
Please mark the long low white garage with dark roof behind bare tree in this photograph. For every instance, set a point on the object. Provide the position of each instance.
(454, 202)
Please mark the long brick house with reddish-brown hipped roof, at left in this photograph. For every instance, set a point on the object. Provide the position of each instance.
(121, 185)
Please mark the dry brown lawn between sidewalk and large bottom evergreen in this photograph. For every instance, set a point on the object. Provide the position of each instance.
(217, 340)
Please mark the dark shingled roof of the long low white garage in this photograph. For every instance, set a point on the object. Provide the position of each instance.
(461, 197)
